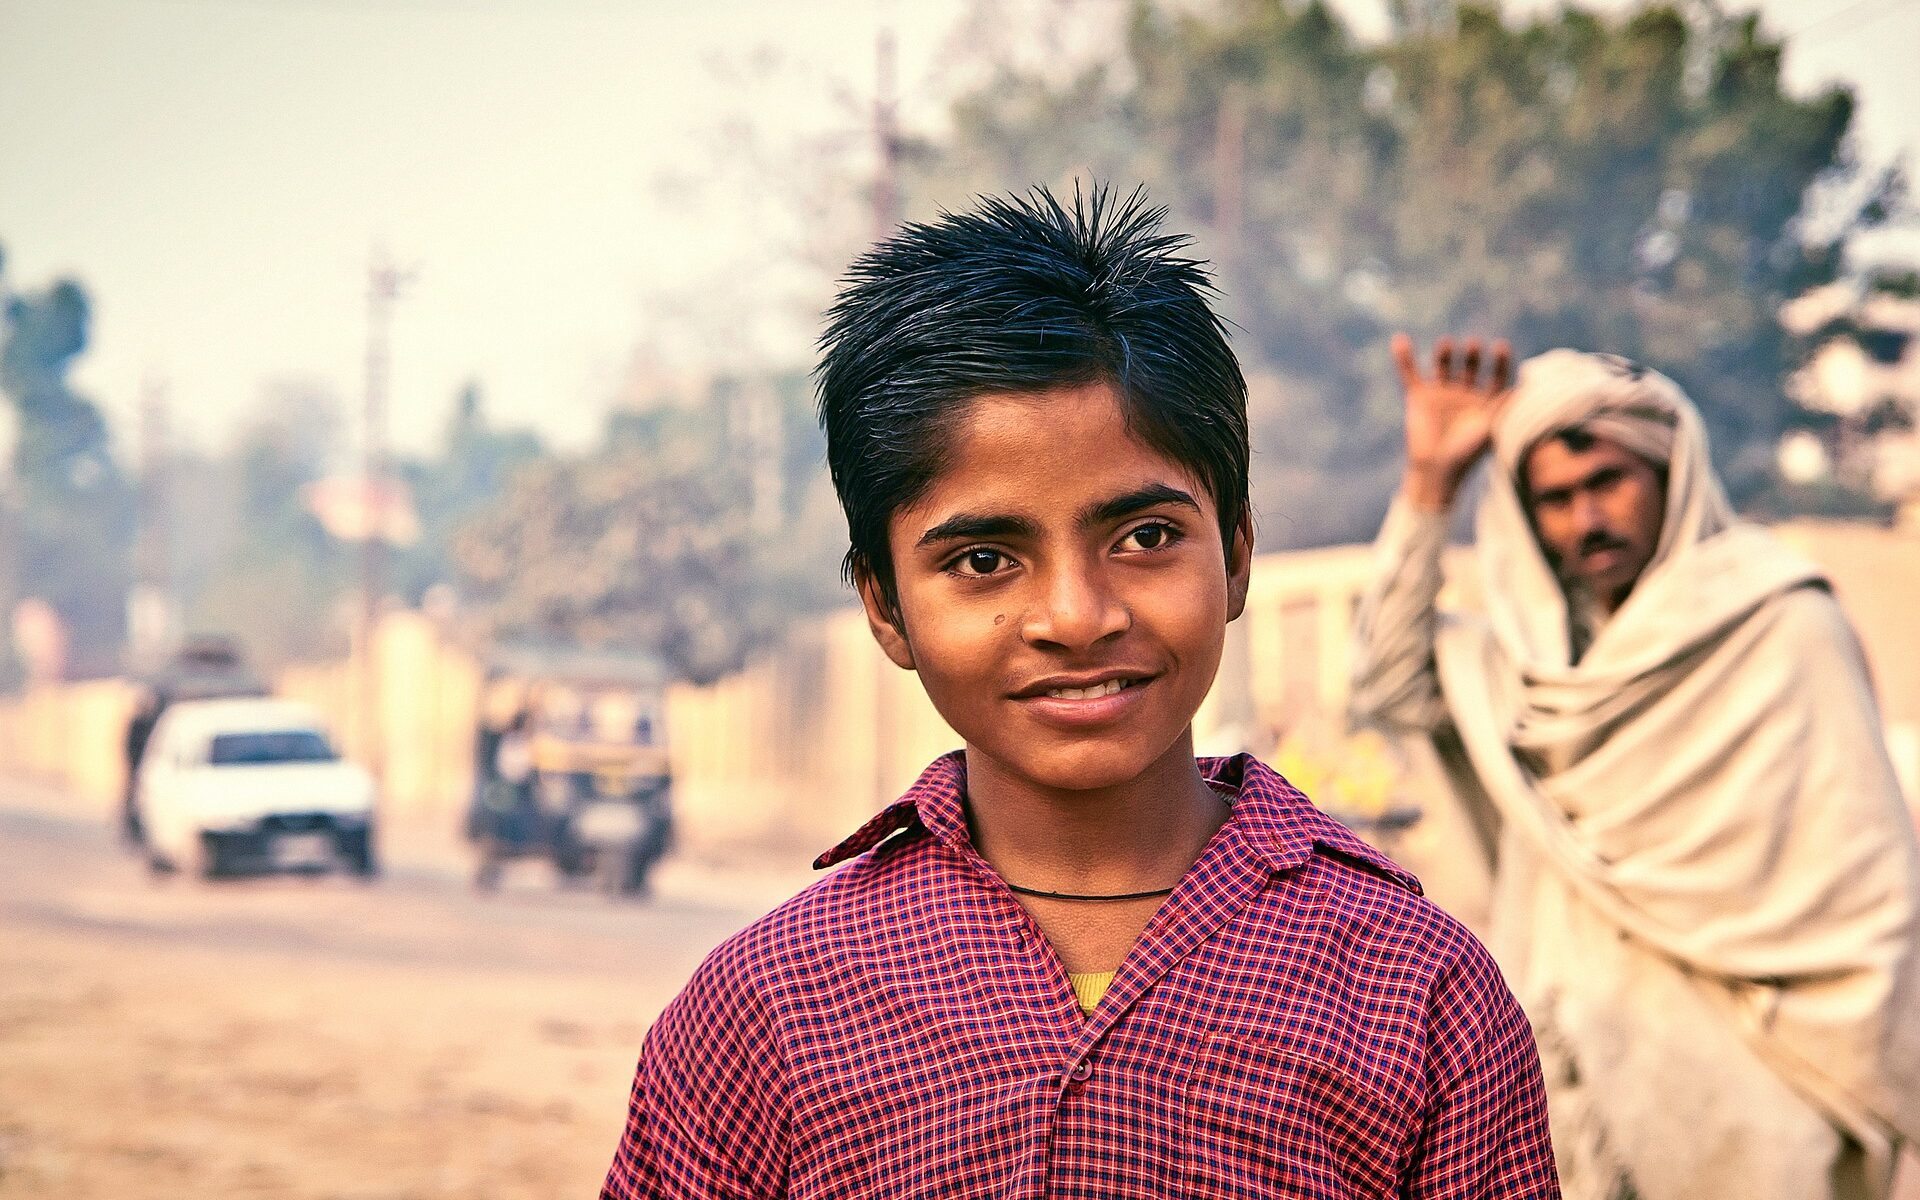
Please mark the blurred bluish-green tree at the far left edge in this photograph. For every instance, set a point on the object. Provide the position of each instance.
(72, 510)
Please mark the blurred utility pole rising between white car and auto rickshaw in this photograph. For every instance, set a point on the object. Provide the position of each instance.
(383, 289)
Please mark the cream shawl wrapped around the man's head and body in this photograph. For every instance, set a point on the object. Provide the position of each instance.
(1698, 815)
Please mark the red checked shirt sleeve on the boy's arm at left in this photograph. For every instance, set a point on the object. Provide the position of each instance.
(709, 1113)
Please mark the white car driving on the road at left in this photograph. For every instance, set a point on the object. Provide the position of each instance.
(252, 786)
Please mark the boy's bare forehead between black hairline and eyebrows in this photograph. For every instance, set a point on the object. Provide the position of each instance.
(1045, 452)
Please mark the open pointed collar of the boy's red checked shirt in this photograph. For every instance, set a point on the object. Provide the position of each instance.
(1276, 819)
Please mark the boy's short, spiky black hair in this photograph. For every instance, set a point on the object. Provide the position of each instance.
(1022, 295)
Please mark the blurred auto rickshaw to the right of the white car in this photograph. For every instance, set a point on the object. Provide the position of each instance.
(571, 767)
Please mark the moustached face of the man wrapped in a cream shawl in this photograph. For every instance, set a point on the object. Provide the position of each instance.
(1598, 514)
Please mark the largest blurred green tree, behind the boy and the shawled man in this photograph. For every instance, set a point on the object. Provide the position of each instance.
(1629, 185)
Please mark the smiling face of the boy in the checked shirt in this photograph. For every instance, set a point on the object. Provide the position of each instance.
(1065, 592)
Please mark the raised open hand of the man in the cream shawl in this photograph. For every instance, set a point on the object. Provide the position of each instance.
(1451, 416)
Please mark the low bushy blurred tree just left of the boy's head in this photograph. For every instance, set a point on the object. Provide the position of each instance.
(656, 540)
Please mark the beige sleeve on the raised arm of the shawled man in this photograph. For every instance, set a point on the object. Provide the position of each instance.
(1395, 684)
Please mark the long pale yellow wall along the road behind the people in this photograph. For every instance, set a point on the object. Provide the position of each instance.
(813, 738)
